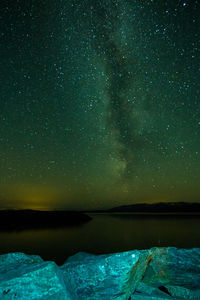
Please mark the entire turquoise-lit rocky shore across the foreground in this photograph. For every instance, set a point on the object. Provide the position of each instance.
(156, 273)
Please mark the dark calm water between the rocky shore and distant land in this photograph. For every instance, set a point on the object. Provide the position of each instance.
(105, 234)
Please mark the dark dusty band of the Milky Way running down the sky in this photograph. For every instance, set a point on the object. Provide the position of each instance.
(104, 23)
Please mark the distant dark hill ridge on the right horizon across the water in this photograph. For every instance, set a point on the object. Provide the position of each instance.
(161, 207)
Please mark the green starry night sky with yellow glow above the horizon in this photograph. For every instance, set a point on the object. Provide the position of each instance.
(99, 103)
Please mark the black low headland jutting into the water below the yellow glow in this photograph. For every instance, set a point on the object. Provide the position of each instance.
(33, 219)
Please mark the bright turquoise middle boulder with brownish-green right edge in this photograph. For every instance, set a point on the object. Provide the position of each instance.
(112, 276)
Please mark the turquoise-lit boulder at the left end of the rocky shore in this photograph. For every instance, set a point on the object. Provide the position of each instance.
(29, 277)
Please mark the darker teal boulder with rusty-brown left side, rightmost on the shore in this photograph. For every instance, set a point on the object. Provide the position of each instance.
(173, 266)
